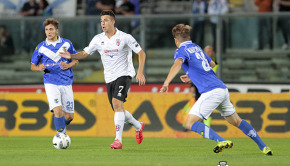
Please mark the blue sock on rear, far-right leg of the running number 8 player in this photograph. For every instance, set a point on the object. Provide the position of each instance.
(250, 131)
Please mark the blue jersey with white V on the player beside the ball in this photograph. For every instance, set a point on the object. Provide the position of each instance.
(48, 53)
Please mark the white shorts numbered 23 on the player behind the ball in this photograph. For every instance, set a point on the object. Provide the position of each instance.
(60, 95)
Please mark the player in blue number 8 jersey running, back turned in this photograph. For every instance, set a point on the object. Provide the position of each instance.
(214, 93)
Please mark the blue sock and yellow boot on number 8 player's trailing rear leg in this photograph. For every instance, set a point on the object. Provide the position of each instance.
(250, 131)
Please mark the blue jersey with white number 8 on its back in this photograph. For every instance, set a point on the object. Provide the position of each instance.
(196, 66)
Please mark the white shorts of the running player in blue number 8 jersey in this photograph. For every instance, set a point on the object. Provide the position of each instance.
(209, 101)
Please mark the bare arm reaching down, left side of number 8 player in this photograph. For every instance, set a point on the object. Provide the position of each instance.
(172, 73)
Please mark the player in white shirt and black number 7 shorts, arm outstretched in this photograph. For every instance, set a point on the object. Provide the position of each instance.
(115, 48)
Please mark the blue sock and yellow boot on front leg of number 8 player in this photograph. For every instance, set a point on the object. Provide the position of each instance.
(209, 133)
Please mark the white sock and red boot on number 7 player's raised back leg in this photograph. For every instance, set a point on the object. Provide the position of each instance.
(138, 125)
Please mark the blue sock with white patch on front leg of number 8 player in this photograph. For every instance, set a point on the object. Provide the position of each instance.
(206, 132)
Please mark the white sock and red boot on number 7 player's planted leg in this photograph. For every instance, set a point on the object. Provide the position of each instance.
(119, 119)
